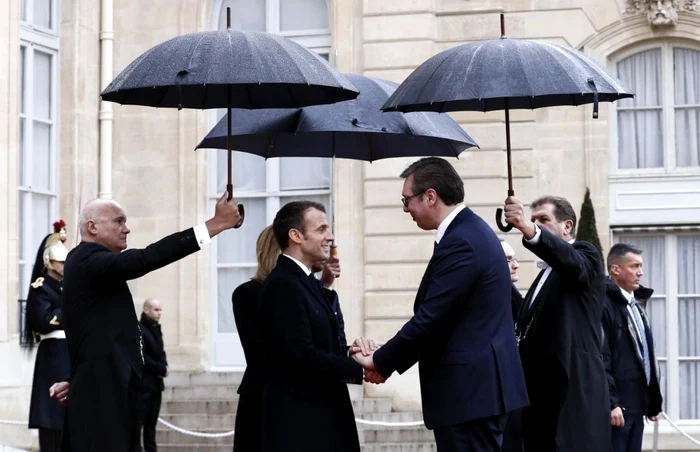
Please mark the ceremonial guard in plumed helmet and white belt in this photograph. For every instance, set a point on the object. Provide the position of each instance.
(44, 325)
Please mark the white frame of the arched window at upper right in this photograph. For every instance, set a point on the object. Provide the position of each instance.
(667, 114)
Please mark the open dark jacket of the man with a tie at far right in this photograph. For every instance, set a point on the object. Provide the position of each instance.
(622, 354)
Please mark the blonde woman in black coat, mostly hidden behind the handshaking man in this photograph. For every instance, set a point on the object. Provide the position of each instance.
(245, 311)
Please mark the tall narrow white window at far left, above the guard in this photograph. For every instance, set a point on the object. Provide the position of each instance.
(38, 131)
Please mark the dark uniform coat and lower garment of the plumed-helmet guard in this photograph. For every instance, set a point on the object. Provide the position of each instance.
(52, 362)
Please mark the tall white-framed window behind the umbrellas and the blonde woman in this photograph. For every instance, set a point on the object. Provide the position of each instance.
(262, 185)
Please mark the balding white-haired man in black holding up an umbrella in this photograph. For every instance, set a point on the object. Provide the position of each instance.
(102, 330)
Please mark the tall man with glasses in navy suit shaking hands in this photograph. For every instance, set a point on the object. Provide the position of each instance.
(461, 333)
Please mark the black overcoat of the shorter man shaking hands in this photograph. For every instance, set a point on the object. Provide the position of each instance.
(306, 404)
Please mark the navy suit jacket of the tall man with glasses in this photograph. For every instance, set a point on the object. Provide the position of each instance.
(461, 332)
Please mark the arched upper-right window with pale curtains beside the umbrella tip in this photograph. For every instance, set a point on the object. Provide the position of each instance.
(660, 127)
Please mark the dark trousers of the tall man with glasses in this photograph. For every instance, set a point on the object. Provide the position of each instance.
(479, 435)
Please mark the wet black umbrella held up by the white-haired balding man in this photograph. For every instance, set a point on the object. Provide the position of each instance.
(225, 69)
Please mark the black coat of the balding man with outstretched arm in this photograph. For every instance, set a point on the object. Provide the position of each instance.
(104, 337)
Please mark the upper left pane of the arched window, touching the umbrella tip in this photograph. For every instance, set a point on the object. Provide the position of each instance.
(641, 73)
